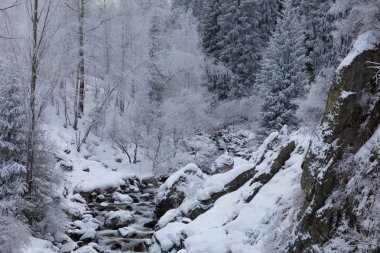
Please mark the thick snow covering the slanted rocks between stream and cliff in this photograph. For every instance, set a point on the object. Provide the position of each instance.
(234, 225)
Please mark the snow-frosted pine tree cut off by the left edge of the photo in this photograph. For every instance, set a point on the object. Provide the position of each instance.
(12, 135)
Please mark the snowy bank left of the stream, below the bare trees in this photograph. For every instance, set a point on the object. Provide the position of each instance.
(104, 171)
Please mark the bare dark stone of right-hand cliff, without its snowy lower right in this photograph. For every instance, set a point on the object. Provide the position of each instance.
(348, 123)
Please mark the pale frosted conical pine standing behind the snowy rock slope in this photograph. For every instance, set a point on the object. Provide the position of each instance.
(282, 77)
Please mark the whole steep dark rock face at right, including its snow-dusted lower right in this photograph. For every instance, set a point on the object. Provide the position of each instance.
(351, 118)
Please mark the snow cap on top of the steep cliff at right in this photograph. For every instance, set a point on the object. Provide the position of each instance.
(365, 41)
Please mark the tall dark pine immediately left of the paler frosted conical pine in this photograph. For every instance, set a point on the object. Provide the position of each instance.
(240, 43)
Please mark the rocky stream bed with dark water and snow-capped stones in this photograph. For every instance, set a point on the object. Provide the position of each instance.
(115, 220)
